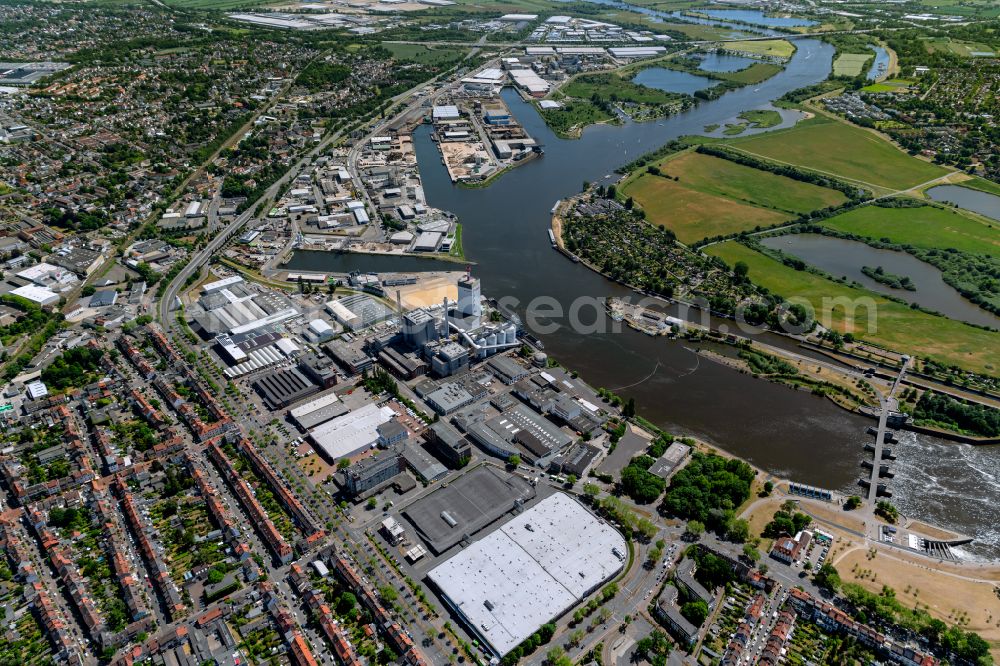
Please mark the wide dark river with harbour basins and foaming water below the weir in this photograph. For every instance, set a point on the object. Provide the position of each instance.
(788, 433)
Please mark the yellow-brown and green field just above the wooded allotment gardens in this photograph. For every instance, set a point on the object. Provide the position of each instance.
(713, 196)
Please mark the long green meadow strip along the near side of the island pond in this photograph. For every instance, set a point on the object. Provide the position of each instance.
(896, 325)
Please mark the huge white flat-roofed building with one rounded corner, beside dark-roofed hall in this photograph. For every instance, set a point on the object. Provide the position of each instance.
(530, 570)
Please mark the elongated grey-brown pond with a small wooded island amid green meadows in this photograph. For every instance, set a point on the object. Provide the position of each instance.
(840, 257)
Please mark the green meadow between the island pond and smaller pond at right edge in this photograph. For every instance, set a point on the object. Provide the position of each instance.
(927, 227)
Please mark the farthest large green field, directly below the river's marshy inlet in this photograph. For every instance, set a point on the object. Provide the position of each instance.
(832, 147)
